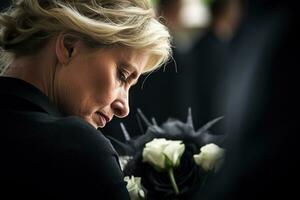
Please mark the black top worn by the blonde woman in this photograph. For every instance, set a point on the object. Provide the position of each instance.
(44, 154)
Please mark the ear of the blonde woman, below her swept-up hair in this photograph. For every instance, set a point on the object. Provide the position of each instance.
(65, 47)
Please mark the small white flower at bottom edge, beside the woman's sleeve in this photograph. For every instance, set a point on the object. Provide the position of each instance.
(134, 188)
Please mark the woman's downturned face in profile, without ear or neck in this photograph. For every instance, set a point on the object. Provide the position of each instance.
(94, 85)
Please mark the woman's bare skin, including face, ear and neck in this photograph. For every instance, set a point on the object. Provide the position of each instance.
(90, 83)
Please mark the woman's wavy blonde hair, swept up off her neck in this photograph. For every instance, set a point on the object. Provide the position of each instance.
(28, 24)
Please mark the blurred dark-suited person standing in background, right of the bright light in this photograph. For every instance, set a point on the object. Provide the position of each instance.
(208, 61)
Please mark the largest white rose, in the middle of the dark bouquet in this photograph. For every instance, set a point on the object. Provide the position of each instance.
(162, 153)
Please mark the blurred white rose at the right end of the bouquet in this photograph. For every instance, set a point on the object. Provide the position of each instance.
(210, 158)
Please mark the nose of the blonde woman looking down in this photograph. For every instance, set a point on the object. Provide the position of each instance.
(120, 105)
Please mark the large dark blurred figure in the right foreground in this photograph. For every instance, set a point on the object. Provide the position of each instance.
(262, 143)
